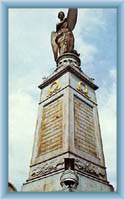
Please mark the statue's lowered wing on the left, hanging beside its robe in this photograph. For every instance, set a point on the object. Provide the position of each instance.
(54, 45)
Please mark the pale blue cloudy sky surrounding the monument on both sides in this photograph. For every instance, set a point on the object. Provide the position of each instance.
(31, 58)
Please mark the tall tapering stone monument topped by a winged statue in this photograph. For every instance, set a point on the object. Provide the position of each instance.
(67, 153)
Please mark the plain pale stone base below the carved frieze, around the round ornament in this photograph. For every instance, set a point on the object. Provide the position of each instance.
(52, 184)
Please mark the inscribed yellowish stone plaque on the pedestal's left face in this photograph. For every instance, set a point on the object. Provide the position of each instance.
(51, 131)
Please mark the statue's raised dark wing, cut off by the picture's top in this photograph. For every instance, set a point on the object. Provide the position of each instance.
(72, 18)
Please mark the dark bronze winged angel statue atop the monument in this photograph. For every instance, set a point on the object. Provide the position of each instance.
(62, 40)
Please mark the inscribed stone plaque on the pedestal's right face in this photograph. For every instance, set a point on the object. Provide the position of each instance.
(84, 127)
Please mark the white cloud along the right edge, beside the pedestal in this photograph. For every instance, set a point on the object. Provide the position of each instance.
(107, 114)
